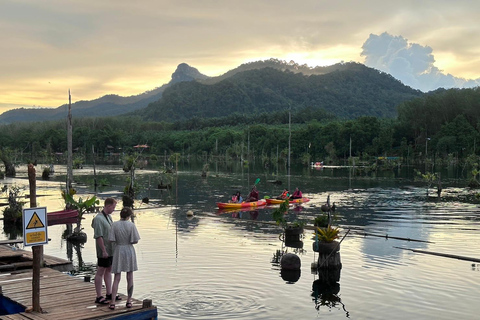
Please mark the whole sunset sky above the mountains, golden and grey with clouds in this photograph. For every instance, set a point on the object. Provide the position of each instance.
(94, 48)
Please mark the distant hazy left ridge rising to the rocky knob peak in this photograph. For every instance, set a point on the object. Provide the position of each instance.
(108, 105)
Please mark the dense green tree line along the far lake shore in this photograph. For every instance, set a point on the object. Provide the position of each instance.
(444, 124)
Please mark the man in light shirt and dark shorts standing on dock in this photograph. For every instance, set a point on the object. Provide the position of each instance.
(101, 224)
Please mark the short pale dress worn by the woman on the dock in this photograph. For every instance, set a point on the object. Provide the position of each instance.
(124, 233)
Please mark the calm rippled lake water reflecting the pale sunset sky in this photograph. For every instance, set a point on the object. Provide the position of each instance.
(222, 265)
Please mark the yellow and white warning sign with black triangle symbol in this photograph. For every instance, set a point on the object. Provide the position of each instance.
(35, 226)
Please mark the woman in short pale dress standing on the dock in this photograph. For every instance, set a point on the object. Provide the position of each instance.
(124, 233)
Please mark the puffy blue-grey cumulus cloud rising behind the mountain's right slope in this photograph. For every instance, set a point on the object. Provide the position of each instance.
(411, 63)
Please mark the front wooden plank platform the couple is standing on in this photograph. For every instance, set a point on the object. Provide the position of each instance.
(65, 297)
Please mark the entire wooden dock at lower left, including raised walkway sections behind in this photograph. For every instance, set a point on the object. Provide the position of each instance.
(61, 296)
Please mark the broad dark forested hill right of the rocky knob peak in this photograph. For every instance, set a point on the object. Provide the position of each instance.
(352, 90)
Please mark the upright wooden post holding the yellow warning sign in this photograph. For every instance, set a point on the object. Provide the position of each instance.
(37, 250)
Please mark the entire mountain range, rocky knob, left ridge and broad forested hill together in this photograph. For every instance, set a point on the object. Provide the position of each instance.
(346, 90)
